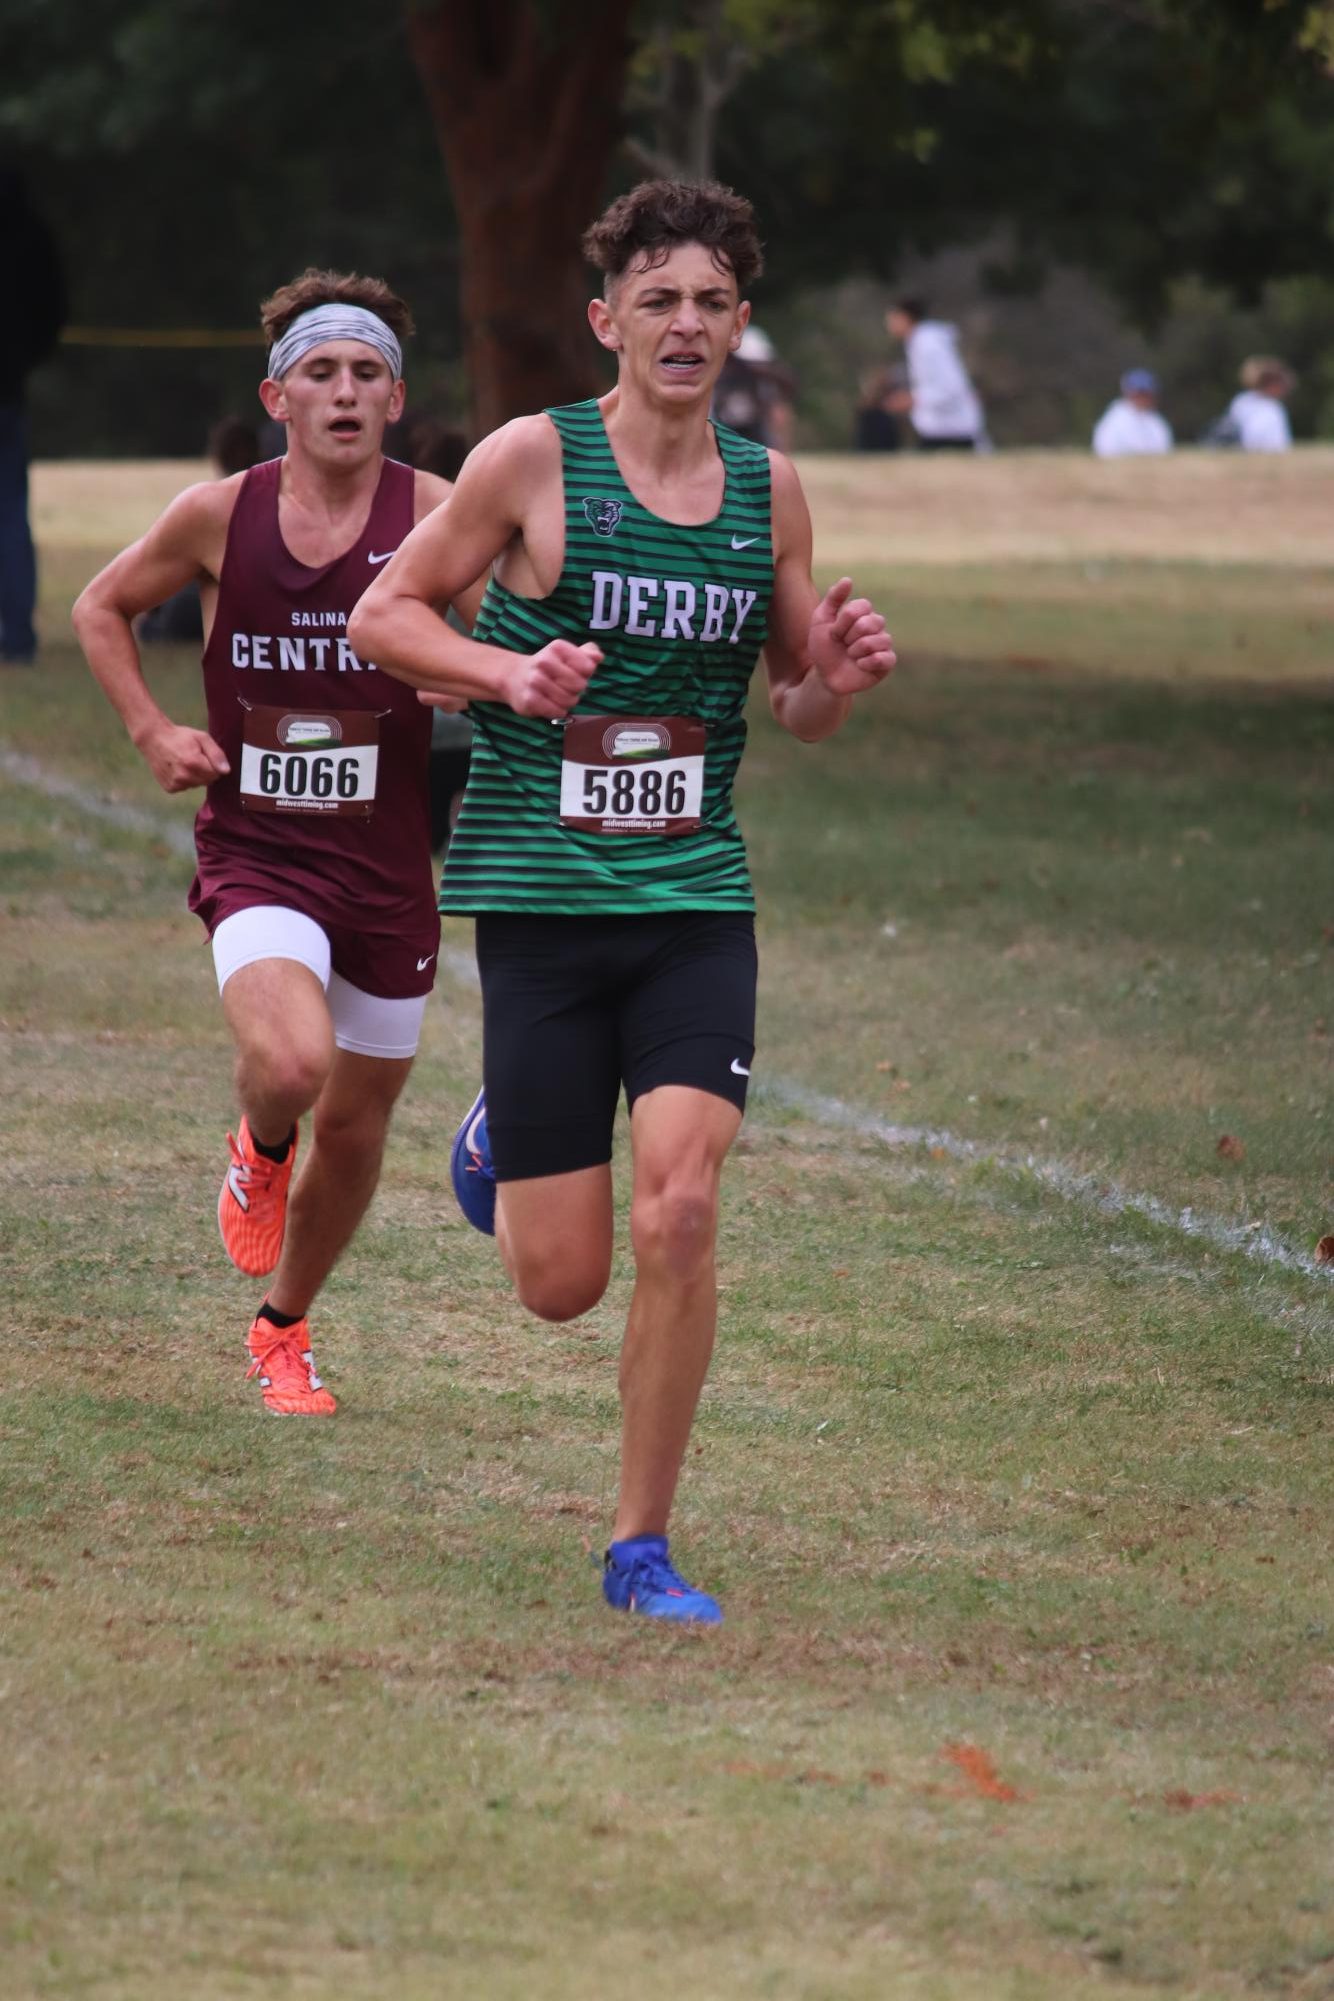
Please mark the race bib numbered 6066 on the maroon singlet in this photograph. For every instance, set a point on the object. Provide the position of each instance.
(309, 761)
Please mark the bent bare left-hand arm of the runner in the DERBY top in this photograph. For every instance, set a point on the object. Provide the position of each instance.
(397, 623)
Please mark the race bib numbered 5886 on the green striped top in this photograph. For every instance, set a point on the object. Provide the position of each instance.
(633, 775)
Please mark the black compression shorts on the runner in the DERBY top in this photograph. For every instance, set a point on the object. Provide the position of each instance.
(575, 1008)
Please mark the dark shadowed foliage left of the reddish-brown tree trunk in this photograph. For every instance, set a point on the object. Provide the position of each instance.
(193, 157)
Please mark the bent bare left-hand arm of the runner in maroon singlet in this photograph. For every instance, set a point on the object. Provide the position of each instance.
(183, 547)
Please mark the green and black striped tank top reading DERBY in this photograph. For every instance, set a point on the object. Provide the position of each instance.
(681, 617)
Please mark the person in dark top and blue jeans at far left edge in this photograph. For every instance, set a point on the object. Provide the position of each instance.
(35, 311)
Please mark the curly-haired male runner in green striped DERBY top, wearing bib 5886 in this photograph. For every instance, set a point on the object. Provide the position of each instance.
(643, 559)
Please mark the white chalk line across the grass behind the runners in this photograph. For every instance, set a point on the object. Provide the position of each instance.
(1091, 1192)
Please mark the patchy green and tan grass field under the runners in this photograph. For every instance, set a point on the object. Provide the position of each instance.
(1019, 1498)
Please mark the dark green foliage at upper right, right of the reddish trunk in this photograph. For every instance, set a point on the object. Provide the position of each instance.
(1143, 139)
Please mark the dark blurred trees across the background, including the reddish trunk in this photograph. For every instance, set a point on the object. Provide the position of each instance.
(1165, 161)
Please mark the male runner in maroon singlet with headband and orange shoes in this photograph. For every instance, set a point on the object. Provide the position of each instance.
(315, 875)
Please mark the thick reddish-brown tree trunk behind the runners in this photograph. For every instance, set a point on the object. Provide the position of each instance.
(527, 111)
